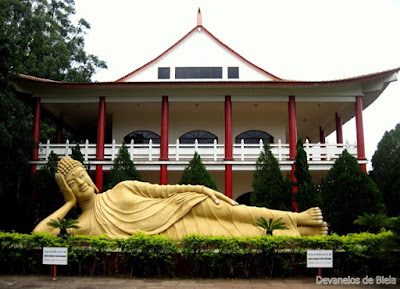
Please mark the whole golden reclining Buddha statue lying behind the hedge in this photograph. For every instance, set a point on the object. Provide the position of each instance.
(172, 210)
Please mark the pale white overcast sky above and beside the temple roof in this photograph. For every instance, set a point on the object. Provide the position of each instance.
(300, 40)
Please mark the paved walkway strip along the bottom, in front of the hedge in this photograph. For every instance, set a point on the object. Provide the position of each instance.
(62, 282)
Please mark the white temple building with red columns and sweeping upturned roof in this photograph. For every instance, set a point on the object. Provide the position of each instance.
(201, 96)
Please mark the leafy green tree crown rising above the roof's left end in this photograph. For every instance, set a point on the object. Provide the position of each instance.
(40, 39)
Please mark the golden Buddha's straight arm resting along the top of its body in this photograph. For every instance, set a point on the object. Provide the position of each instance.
(166, 191)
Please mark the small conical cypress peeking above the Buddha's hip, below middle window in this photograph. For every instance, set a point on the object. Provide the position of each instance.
(196, 174)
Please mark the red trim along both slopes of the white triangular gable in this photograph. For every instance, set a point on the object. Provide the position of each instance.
(213, 37)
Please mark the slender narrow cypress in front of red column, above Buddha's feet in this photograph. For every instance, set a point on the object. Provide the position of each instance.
(307, 195)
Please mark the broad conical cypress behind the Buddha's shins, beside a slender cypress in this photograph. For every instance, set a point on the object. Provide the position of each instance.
(270, 189)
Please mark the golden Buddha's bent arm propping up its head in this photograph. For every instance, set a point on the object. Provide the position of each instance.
(70, 202)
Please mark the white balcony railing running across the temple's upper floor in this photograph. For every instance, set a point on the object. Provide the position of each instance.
(140, 153)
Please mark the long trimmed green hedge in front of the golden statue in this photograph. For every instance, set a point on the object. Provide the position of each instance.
(194, 255)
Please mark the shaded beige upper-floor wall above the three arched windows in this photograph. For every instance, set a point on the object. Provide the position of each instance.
(185, 117)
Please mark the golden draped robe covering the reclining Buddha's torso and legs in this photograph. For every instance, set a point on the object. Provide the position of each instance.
(175, 211)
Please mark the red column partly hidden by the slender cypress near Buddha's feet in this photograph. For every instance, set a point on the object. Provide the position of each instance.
(293, 142)
